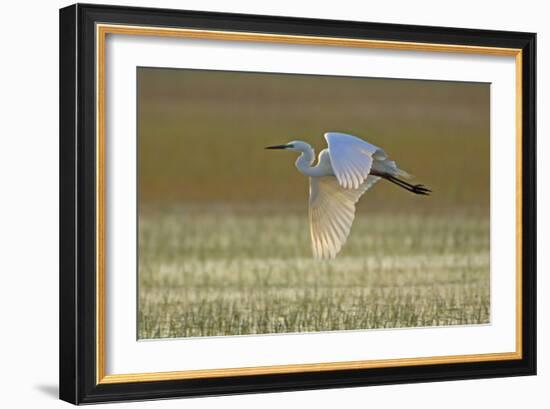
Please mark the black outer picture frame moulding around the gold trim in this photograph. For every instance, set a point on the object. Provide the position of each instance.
(78, 360)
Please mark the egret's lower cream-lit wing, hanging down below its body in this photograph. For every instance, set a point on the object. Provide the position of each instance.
(331, 213)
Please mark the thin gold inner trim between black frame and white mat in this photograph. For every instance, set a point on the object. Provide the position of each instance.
(101, 33)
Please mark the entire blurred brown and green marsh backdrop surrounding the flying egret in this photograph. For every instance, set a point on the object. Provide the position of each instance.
(224, 245)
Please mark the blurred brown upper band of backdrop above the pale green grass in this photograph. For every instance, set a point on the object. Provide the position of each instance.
(202, 134)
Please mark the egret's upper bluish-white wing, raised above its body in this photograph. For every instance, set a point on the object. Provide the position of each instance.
(351, 158)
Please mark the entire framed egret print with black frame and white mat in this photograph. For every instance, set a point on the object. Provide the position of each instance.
(258, 203)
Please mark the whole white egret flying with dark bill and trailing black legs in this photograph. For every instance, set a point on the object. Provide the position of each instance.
(344, 171)
